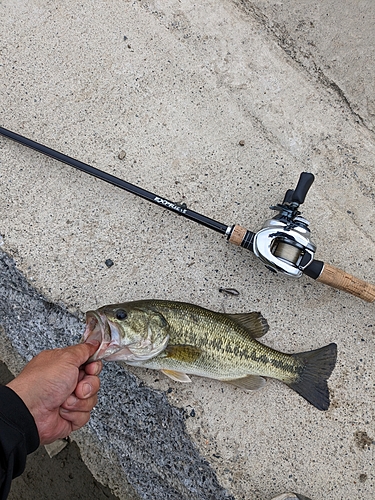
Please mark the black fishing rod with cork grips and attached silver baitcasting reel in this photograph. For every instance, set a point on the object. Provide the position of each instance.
(283, 244)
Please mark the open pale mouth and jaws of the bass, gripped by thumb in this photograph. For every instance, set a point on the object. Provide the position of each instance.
(100, 329)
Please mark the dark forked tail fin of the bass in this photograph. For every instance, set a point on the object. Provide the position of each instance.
(312, 383)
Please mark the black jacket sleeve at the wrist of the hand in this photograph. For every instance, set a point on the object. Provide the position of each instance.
(18, 437)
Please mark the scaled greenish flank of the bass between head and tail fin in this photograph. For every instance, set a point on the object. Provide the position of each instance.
(227, 351)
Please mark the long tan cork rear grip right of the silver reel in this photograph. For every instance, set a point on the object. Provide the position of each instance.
(341, 280)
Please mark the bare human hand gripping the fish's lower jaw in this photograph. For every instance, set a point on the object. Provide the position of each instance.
(58, 391)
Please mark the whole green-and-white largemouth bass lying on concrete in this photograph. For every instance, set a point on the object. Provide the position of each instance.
(182, 339)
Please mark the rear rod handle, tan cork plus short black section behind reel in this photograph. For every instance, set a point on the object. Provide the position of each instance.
(336, 278)
